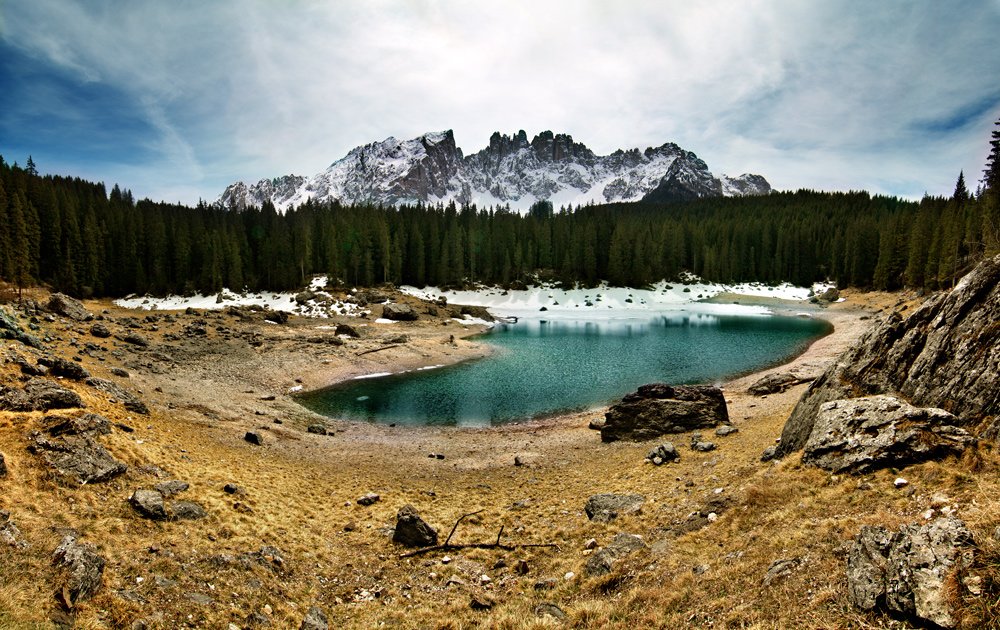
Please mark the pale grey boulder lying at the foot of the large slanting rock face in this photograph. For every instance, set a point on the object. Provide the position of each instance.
(863, 434)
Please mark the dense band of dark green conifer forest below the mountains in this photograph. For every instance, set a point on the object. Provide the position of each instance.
(76, 237)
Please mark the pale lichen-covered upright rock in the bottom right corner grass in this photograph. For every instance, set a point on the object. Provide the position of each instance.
(908, 571)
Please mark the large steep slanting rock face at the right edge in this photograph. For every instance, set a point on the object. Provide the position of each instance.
(946, 354)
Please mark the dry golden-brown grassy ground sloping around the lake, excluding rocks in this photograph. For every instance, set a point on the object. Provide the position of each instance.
(301, 491)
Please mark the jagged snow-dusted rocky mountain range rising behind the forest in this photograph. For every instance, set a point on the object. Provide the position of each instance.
(511, 170)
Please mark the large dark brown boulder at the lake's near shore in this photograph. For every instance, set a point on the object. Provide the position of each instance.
(658, 409)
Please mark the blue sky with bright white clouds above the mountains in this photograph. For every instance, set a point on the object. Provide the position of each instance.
(175, 100)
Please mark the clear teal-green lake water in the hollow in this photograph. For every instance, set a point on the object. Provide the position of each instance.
(544, 368)
